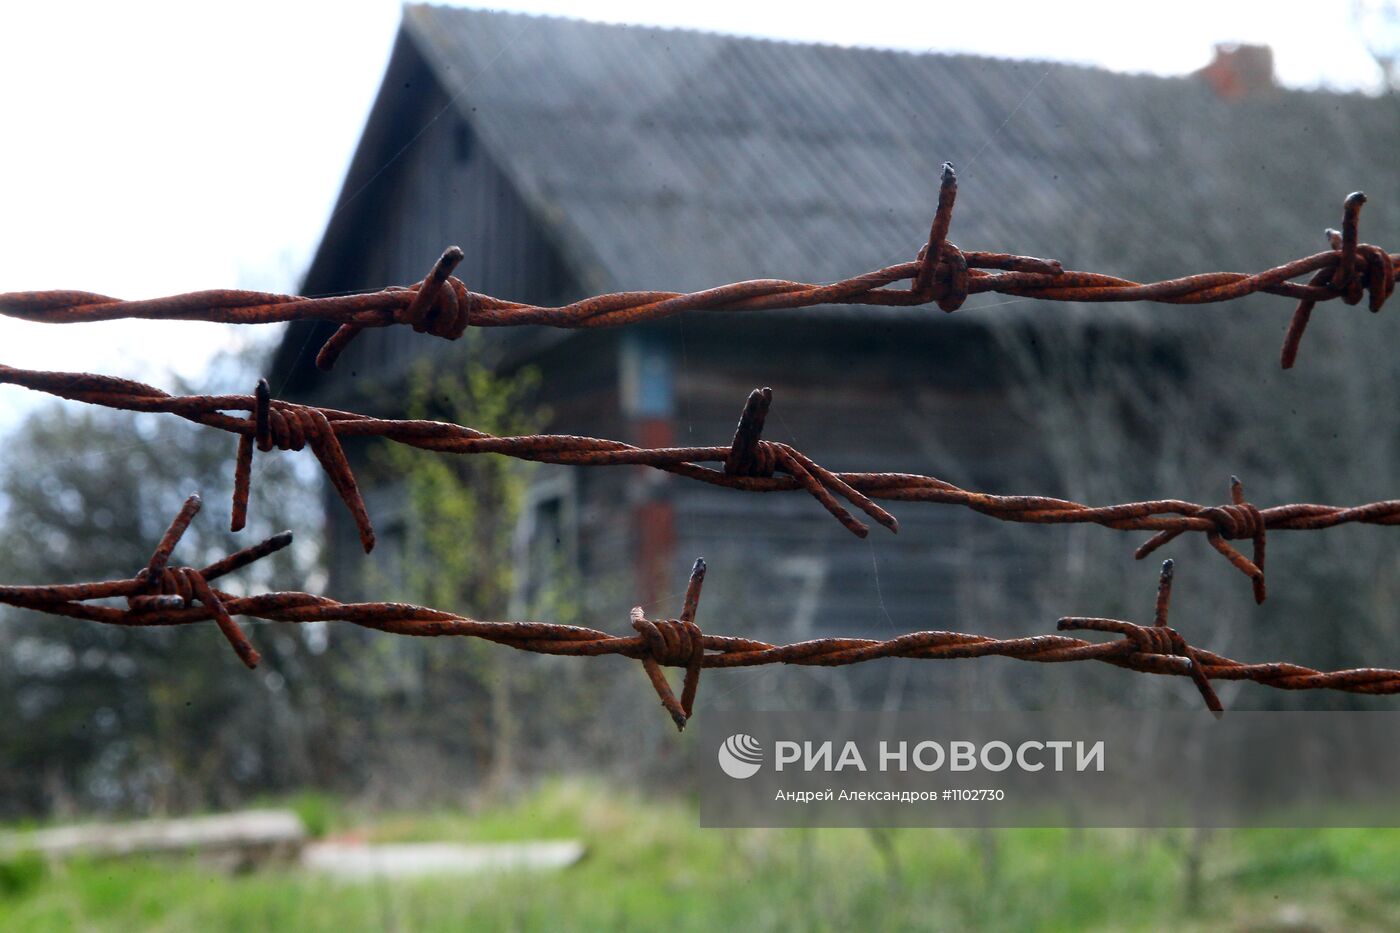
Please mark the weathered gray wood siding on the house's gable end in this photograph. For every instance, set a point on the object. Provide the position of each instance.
(443, 188)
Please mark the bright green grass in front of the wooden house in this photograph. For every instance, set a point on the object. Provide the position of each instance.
(649, 866)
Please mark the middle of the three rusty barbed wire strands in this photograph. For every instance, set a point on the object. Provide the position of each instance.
(748, 463)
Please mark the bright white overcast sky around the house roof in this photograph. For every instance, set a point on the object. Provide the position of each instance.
(160, 148)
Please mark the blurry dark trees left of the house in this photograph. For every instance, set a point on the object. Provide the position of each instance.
(142, 719)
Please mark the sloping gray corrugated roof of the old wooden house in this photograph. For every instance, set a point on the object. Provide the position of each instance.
(668, 159)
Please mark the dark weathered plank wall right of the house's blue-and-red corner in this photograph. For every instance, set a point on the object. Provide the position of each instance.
(855, 397)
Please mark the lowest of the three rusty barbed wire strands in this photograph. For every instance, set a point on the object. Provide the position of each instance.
(164, 596)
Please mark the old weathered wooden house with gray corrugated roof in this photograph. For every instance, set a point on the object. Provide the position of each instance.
(572, 159)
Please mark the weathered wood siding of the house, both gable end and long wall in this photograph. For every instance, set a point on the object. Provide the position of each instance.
(853, 393)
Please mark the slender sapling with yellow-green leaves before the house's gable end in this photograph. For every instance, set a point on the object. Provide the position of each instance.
(453, 548)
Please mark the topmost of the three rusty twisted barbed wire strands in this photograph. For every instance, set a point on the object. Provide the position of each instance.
(941, 274)
